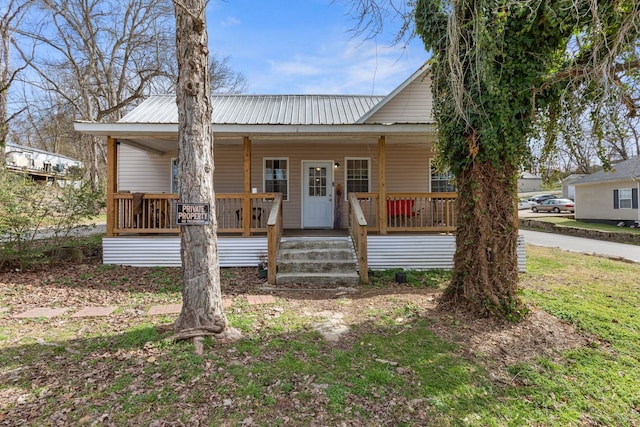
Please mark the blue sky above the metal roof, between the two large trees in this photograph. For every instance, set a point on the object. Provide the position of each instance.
(306, 47)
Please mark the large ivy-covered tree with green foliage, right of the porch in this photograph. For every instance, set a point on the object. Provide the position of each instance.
(502, 71)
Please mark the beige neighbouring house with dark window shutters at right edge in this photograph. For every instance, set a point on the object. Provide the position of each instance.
(610, 197)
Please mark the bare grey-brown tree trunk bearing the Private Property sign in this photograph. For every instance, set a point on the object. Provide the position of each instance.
(202, 310)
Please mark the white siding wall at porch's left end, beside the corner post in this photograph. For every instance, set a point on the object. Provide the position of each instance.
(143, 171)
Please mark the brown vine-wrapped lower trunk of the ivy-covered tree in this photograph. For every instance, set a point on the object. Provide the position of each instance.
(485, 275)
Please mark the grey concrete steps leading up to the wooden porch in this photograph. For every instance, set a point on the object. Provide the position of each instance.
(317, 262)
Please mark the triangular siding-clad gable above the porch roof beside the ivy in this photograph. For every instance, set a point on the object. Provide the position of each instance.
(414, 104)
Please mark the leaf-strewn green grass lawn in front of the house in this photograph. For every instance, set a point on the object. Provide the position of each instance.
(386, 372)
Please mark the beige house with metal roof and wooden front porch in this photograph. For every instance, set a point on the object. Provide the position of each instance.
(358, 167)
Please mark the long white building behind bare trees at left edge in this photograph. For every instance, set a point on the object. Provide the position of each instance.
(42, 165)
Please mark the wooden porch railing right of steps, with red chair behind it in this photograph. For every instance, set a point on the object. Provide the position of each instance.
(409, 212)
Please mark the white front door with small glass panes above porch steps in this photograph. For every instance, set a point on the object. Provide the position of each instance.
(317, 199)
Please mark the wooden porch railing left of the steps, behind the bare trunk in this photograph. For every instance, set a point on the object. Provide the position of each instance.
(153, 213)
